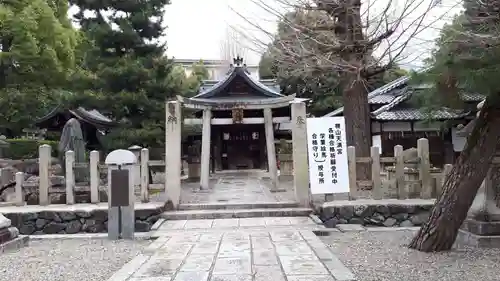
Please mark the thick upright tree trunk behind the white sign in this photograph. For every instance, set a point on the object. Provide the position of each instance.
(358, 123)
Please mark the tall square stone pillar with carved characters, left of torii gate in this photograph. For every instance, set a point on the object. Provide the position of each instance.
(173, 152)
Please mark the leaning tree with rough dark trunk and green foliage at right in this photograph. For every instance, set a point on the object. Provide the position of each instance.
(467, 59)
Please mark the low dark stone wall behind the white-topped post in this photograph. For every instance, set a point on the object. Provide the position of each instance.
(70, 222)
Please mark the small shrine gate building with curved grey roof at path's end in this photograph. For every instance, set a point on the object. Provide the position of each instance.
(241, 117)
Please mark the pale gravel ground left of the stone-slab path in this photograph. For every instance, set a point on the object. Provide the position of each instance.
(68, 260)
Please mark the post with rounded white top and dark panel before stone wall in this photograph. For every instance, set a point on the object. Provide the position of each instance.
(121, 214)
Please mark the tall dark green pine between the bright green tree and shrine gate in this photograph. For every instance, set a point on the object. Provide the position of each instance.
(130, 76)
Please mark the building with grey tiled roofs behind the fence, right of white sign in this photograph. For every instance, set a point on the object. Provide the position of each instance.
(397, 119)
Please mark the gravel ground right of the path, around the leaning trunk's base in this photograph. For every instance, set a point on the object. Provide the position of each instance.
(383, 256)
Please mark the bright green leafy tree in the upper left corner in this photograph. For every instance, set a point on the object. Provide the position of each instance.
(37, 59)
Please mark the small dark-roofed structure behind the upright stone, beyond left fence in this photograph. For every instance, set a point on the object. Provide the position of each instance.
(93, 123)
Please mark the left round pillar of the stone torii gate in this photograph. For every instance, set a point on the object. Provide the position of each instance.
(205, 149)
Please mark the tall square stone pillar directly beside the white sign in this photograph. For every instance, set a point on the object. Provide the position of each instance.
(300, 158)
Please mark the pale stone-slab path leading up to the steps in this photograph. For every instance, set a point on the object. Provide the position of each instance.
(241, 254)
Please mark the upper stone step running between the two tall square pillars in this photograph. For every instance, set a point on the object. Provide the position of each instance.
(238, 206)
